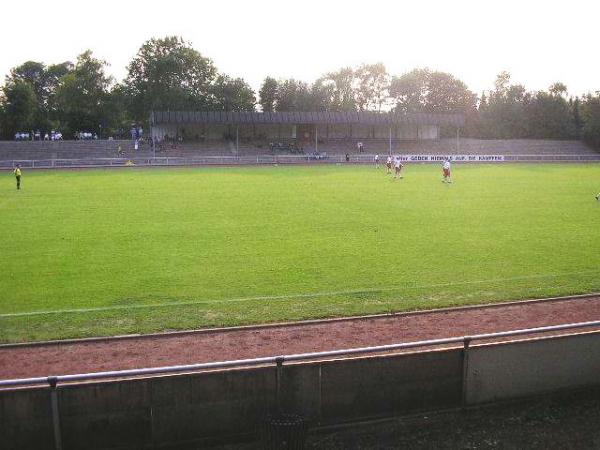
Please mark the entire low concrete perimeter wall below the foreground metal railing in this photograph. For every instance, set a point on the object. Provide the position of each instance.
(198, 409)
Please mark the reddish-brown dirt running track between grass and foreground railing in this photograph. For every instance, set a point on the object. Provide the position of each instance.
(95, 355)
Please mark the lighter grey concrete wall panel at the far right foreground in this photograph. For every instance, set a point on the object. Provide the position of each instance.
(518, 369)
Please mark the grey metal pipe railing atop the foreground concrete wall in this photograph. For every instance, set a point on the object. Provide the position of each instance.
(279, 360)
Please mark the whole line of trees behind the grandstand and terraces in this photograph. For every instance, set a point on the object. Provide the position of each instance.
(169, 74)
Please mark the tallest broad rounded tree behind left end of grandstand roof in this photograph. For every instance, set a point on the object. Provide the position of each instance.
(169, 74)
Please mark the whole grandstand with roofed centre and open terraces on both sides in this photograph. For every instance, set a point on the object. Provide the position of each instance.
(198, 134)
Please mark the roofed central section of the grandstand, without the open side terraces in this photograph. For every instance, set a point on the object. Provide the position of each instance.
(302, 129)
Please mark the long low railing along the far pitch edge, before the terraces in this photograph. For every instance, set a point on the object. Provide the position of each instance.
(249, 160)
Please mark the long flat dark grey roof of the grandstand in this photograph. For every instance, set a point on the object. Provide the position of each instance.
(321, 117)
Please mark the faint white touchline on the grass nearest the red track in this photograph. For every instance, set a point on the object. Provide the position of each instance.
(284, 297)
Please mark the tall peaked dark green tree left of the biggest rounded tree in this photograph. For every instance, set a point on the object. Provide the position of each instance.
(82, 95)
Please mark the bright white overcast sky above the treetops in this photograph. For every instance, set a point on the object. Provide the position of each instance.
(538, 42)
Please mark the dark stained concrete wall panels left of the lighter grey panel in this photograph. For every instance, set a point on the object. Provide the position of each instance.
(173, 410)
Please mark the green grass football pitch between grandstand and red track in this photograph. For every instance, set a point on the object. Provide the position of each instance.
(230, 246)
